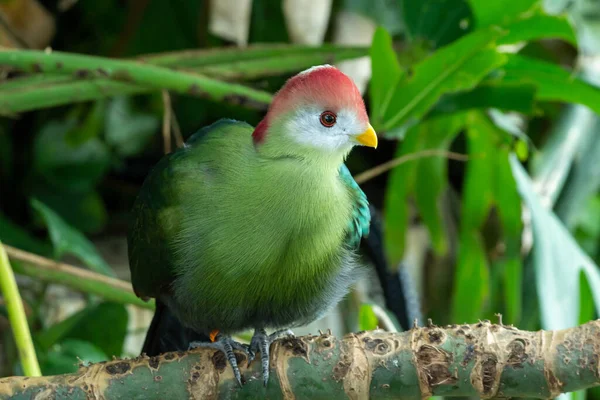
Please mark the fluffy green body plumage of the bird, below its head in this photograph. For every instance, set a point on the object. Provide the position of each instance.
(232, 238)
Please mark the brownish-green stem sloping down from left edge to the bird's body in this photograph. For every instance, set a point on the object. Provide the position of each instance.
(76, 278)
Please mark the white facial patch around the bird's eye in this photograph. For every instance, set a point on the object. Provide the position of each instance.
(306, 129)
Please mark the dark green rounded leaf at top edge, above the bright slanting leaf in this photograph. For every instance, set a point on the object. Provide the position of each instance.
(437, 21)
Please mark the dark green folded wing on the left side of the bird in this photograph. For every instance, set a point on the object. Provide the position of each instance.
(158, 215)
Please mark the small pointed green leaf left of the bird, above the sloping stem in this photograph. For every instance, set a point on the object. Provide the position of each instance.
(67, 240)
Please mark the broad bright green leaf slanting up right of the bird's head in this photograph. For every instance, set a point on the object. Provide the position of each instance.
(456, 67)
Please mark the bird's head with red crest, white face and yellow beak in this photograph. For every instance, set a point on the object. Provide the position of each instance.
(319, 111)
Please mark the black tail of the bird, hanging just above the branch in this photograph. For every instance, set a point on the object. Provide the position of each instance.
(166, 333)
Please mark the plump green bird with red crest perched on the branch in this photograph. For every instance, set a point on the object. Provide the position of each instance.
(257, 227)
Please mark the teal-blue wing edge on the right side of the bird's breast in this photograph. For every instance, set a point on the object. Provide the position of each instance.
(361, 215)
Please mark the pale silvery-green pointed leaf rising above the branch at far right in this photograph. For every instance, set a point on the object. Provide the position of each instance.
(558, 261)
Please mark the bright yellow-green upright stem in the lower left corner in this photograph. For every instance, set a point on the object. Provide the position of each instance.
(17, 318)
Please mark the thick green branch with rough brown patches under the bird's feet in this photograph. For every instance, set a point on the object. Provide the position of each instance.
(484, 360)
